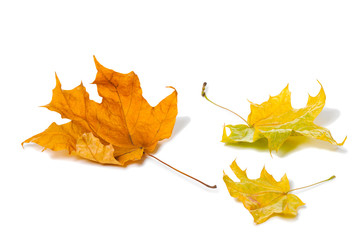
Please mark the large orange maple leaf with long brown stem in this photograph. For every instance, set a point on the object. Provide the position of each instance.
(120, 129)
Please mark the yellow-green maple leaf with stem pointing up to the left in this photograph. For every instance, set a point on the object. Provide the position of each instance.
(276, 120)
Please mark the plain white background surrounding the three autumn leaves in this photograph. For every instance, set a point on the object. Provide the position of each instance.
(244, 50)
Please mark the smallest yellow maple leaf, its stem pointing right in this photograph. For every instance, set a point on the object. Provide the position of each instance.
(264, 197)
